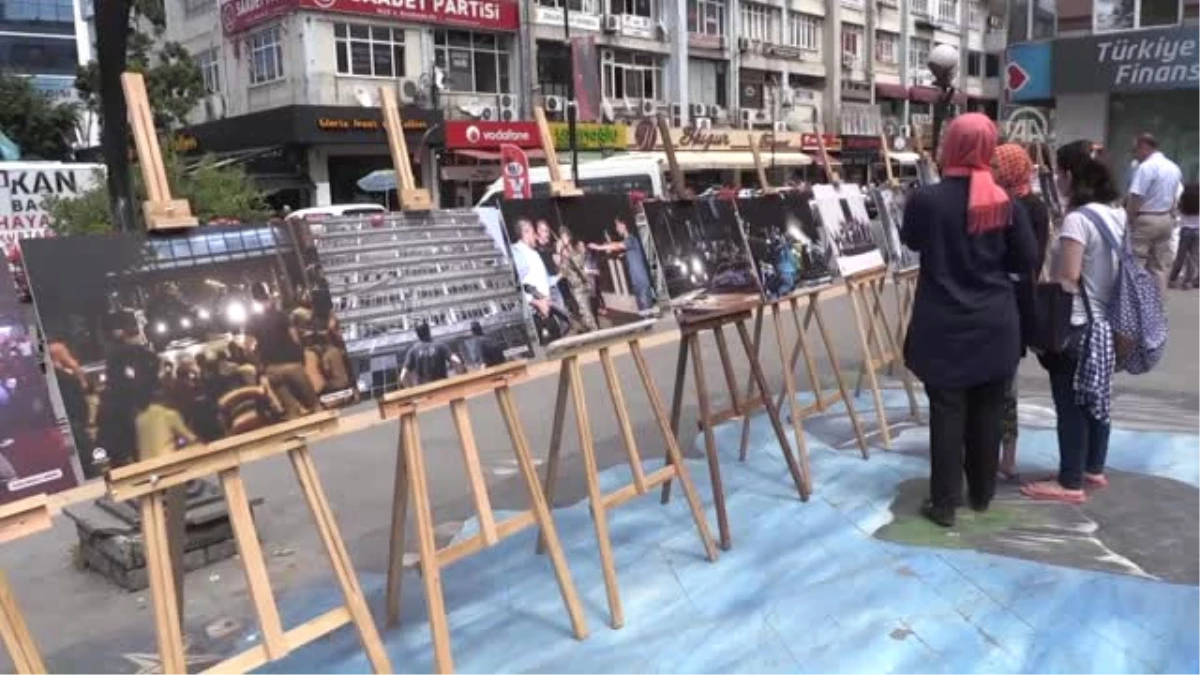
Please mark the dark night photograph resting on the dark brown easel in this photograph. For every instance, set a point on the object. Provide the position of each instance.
(705, 258)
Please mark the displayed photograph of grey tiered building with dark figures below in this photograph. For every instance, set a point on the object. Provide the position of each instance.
(422, 296)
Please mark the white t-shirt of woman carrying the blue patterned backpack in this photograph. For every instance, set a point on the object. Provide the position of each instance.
(1101, 262)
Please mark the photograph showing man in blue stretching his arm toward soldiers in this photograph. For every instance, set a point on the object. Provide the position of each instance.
(581, 262)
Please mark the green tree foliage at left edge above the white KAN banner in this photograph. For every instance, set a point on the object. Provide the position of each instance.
(33, 120)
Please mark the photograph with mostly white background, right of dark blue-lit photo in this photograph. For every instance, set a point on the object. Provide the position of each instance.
(843, 213)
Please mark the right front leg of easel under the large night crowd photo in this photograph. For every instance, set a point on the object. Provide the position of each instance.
(340, 560)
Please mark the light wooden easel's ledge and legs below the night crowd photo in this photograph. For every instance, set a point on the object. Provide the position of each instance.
(149, 481)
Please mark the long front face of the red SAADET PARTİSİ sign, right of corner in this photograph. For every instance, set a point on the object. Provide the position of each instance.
(489, 15)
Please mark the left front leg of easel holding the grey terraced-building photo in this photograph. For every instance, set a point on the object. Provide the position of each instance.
(431, 570)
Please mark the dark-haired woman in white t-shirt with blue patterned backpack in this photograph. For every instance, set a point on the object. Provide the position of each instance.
(1082, 374)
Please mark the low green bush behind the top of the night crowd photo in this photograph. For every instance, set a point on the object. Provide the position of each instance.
(217, 193)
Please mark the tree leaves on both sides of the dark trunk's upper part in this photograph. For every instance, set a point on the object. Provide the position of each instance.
(175, 83)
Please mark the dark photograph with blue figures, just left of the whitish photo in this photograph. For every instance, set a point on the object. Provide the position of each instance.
(787, 244)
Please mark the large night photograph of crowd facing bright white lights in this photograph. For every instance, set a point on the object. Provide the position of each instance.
(188, 339)
